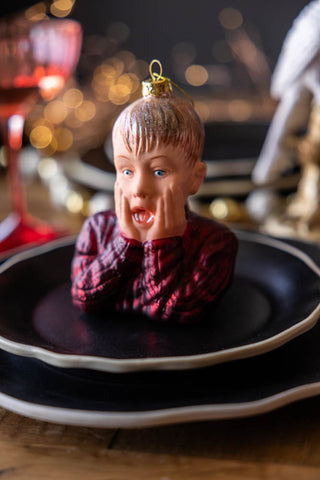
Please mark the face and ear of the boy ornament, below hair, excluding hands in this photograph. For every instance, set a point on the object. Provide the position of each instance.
(146, 177)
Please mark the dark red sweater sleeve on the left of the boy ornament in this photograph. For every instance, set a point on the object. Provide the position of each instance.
(102, 265)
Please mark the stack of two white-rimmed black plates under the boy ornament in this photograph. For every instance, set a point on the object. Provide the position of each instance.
(59, 365)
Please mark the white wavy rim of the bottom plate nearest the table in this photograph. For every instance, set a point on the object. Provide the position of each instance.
(158, 417)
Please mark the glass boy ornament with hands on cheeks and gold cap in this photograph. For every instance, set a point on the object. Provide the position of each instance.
(153, 255)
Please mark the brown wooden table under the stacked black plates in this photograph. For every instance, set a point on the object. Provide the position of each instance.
(284, 444)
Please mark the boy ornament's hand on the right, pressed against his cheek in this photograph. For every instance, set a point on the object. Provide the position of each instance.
(170, 218)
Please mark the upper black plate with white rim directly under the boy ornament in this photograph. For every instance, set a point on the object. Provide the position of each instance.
(274, 297)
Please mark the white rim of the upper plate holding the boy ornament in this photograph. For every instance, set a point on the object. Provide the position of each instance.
(112, 365)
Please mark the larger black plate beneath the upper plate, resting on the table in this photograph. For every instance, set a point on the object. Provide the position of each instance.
(99, 399)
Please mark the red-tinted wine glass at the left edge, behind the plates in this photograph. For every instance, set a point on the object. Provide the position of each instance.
(34, 61)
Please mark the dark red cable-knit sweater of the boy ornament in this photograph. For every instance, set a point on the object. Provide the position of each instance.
(171, 279)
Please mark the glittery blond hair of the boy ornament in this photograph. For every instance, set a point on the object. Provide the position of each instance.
(151, 121)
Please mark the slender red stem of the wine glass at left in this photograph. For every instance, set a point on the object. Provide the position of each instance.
(14, 143)
